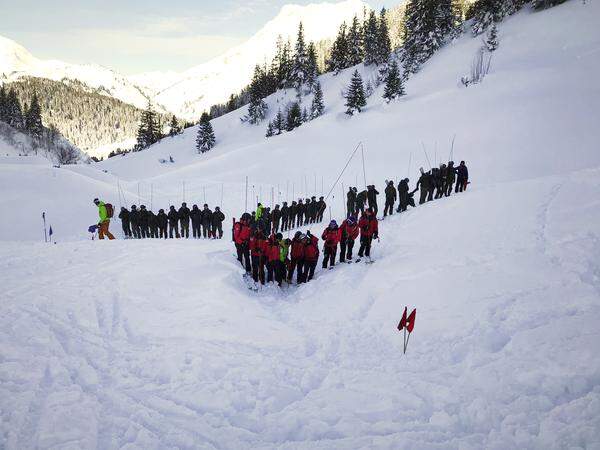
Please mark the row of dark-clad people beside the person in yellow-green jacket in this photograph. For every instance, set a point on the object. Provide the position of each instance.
(141, 223)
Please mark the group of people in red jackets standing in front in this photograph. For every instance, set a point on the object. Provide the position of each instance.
(273, 259)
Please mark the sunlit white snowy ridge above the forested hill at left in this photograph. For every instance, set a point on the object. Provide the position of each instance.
(17, 62)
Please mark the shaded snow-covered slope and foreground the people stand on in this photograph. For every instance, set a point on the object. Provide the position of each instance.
(154, 344)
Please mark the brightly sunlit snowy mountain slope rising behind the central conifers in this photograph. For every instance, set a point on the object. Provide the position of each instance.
(211, 83)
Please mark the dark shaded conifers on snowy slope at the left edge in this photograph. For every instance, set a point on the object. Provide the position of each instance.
(26, 118)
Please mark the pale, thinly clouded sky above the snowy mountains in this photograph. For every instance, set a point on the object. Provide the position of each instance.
(135, 36)
